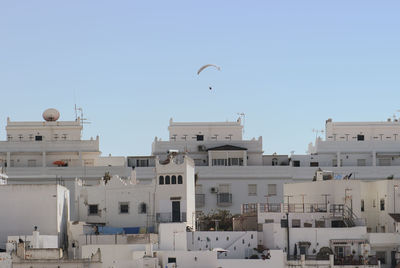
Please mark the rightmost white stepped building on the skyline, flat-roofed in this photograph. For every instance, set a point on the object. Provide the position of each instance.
(354, 144)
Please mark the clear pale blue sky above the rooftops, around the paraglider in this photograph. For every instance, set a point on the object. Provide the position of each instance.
(131, 65)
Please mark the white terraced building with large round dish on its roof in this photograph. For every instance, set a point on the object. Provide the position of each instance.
(53, 151)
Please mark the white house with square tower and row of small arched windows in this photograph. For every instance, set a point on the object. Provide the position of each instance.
(169, 197)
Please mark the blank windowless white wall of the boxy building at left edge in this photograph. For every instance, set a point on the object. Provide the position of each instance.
(26, 206)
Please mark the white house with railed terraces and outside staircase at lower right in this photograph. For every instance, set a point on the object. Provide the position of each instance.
(348, 216)
